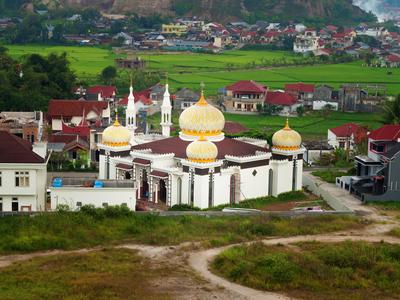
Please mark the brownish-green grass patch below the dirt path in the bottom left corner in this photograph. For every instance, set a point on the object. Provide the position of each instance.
(108, 274)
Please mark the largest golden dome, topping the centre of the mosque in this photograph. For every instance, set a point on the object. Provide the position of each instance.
(201, 119)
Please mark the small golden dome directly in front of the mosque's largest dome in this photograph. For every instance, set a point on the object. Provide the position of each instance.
(202, 151)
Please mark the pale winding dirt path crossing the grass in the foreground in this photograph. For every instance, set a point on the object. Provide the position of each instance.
(194, 279)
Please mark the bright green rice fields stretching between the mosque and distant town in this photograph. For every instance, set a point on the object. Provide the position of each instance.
(220, 70)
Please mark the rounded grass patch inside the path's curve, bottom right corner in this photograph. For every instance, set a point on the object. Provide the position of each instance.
(349, 270)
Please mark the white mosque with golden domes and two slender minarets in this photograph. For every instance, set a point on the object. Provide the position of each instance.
(200, 167)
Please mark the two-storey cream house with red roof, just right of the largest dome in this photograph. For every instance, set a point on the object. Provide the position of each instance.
(244, 96)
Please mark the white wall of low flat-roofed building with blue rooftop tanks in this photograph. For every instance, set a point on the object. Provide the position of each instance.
(92, 196)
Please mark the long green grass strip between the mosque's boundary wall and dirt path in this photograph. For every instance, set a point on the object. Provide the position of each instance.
(74, 230)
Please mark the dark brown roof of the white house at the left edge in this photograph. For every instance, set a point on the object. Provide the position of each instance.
(16, 150)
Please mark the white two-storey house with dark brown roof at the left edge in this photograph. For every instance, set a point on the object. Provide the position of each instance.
(22, 175)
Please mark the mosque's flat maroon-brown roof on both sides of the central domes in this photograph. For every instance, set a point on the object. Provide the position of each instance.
(175, 145)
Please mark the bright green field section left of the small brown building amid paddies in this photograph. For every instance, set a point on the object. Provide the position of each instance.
(86, 61)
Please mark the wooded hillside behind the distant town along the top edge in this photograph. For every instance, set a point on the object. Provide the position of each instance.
(323, 11)
